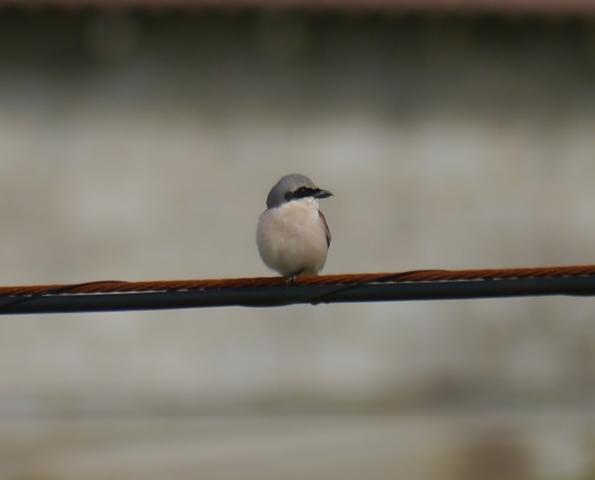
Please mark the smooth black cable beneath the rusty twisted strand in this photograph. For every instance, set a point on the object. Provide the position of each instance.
(299, 294)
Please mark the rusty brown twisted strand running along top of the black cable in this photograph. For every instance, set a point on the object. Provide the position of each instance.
(114, 286)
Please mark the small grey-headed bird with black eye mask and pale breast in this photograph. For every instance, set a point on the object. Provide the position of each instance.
(292, 234)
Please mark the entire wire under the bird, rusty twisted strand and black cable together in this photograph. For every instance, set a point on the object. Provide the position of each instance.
(114, 295)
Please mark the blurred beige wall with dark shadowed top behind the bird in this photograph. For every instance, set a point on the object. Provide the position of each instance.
(142, 147)
